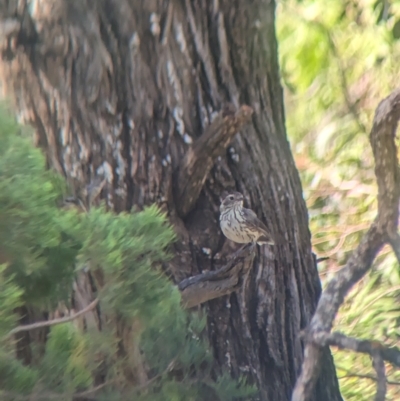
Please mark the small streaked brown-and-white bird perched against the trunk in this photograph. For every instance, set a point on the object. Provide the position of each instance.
(240, 224)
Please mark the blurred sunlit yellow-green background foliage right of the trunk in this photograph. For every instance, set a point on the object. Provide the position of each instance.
(338, 61)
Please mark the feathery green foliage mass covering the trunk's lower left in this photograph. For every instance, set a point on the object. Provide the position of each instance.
(43, 247)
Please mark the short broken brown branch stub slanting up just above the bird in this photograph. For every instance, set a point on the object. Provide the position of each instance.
(194, 168)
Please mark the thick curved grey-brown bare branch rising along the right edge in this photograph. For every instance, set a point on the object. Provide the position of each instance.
(383, 229)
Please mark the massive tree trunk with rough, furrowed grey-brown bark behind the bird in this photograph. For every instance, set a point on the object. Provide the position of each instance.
(121, 91)
